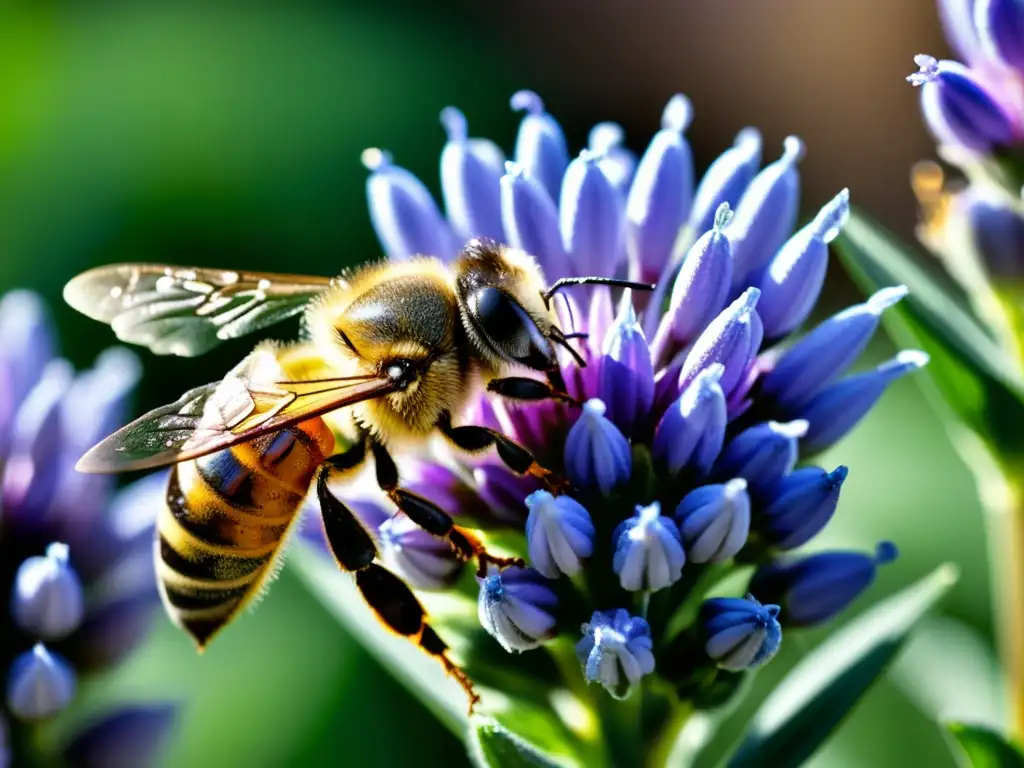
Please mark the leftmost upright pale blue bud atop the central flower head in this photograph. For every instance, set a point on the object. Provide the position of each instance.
(404, 214)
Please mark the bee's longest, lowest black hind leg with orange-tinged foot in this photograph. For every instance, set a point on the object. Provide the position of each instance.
(387, 594)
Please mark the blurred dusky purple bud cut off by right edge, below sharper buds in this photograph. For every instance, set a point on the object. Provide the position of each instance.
(997, 227)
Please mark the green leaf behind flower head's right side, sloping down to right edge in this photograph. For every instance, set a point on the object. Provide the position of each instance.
(971, 373)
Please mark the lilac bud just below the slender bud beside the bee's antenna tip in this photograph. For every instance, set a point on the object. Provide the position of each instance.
(733, 339)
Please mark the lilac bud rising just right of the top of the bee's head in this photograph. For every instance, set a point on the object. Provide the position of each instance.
(531, 219)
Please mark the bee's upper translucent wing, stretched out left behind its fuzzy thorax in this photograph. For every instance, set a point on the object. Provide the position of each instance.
(188, 311)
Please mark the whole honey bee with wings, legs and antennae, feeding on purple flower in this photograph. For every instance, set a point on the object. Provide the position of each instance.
(393, 353)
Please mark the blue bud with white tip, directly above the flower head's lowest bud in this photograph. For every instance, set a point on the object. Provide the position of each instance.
(650, 552)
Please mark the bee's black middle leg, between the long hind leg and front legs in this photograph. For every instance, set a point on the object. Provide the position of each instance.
(433, 519)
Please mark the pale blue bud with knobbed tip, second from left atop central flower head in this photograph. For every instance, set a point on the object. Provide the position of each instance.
(472, 172)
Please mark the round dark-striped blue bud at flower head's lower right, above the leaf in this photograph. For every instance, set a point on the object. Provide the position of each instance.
(742, 633)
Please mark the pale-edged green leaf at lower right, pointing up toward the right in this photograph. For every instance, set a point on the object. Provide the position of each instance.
(812, 702)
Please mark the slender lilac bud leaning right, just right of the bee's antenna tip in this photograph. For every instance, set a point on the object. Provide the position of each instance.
(701, 289)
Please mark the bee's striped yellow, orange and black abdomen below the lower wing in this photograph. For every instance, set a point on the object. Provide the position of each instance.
(226, 520)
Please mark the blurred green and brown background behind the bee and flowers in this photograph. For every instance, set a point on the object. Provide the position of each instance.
(230, 135)
